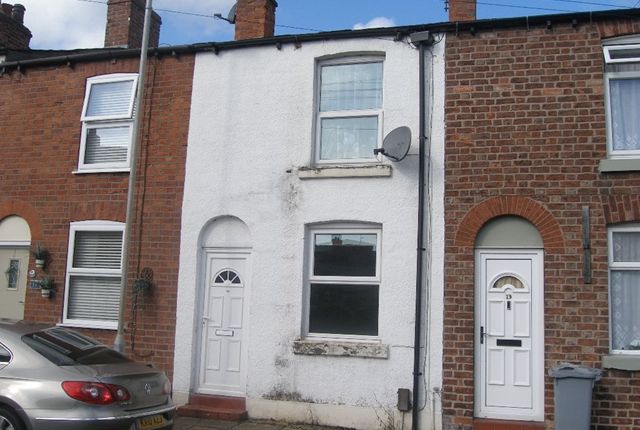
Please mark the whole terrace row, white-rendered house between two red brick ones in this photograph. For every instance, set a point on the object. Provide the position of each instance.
(403, 227)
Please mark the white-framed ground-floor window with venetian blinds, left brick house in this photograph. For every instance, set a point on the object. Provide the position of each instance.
(94, 273)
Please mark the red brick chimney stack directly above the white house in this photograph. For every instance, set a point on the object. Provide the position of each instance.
(255, 19)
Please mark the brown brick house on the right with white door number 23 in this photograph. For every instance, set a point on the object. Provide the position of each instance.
(543, 210)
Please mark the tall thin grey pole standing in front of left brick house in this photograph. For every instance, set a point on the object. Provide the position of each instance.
(118, 344)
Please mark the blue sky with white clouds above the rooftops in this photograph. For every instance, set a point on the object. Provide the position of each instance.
(68, 24)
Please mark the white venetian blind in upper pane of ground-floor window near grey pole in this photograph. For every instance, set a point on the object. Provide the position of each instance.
(97, 250)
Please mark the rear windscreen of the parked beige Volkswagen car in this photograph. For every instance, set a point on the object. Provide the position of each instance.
(65, 347)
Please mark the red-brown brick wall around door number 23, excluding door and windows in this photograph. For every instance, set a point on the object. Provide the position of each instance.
(525, 133)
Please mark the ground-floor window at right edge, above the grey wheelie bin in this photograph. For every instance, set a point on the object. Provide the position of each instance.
(624, 289)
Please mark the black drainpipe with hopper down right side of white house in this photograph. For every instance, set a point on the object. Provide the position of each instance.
(421, 39)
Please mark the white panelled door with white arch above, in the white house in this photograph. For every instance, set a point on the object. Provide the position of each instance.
(222, 308)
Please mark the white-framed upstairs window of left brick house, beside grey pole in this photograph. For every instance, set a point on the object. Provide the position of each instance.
(107, 123)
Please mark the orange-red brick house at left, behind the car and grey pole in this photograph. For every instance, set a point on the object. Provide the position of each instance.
(64, 180)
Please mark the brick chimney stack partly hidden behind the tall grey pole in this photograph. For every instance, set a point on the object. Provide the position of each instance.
(125, 24)
